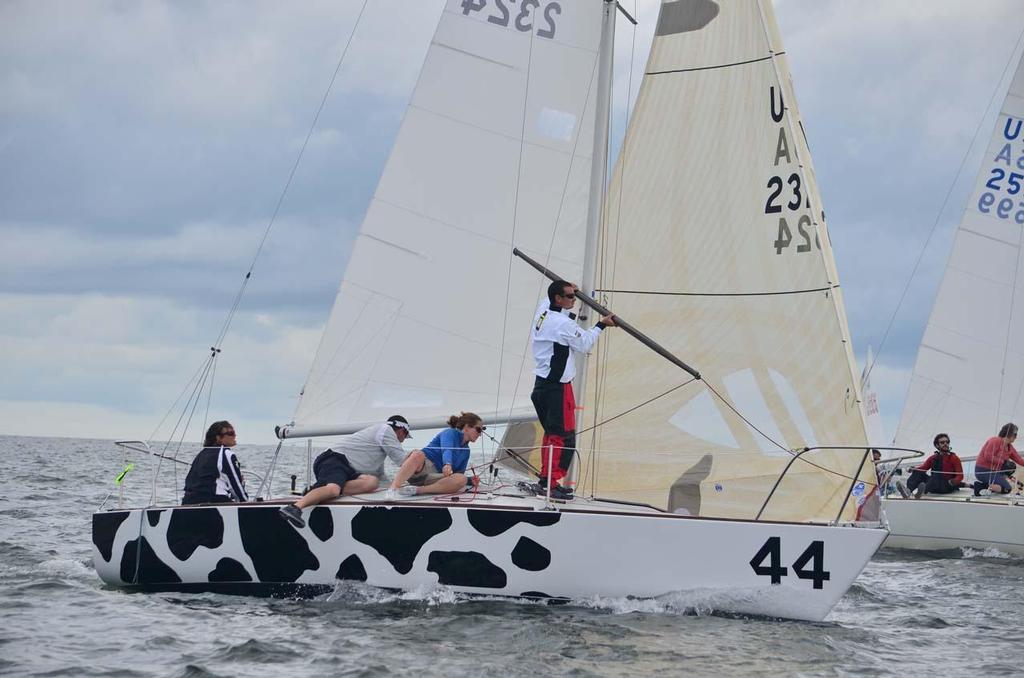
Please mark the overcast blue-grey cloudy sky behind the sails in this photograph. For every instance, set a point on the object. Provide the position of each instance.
(144, 147)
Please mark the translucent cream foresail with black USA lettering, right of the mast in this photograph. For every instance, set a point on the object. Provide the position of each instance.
(715, 245)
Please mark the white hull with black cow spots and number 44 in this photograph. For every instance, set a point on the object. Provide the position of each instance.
(507, 548)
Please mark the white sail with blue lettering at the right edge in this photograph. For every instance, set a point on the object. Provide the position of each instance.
(969, 375)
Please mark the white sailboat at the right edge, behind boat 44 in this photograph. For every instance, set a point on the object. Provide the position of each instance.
(969, 375)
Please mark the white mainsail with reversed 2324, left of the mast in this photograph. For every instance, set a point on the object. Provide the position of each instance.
(494, 152)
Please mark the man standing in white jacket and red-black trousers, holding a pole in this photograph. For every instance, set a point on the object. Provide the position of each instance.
(557, 338)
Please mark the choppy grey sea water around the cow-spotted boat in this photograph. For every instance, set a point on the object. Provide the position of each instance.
(953, 614)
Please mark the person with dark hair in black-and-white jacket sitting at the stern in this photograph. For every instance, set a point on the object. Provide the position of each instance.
(216, 477)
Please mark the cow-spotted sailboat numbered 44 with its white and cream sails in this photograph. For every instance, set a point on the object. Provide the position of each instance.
(731, 490)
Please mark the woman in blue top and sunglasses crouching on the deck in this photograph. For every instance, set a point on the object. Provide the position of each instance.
(441, 468)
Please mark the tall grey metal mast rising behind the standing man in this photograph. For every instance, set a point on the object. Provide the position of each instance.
(599, 178)
